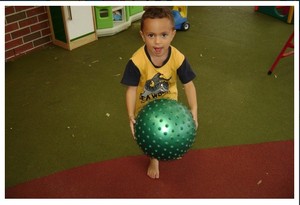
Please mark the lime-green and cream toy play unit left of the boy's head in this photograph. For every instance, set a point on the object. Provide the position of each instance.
(113, 19)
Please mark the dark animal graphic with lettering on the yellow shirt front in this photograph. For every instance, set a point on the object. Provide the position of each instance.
(155, 87)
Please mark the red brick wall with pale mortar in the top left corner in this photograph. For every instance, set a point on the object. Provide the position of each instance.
(26, 28)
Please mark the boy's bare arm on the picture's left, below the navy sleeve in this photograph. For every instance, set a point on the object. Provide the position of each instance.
(130, 103)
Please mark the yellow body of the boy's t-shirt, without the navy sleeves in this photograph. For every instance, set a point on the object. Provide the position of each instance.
(156, 82)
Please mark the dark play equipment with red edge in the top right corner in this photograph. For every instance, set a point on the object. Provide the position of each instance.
(284, 13)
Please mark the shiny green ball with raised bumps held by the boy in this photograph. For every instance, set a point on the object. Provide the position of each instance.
(165, 129)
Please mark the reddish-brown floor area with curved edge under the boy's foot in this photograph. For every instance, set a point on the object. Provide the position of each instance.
(248, 171)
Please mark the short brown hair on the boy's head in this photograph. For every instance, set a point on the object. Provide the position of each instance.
(157, 13)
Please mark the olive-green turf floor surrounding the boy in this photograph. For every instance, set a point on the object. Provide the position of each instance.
(64, 109)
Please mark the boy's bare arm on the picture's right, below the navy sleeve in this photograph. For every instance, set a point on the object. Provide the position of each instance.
(191, 95)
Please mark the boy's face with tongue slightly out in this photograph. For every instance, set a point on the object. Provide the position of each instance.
(158, 35)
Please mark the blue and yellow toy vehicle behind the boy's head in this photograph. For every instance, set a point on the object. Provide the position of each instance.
(180, 18)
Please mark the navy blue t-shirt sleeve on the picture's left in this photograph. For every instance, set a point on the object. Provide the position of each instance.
(131, 76)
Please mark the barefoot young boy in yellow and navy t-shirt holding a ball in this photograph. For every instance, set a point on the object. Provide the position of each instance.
(152, 71)
